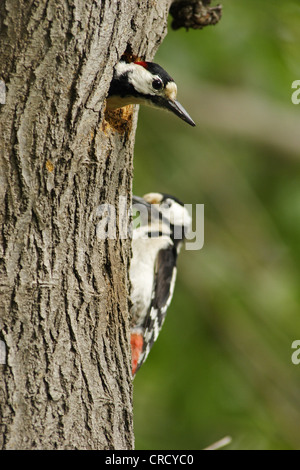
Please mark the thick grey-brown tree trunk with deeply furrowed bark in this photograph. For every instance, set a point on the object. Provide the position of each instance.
(65, 378)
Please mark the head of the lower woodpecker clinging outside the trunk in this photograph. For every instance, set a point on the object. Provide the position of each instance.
(165, 211)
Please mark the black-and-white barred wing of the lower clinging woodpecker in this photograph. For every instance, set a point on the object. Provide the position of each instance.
(164, 282)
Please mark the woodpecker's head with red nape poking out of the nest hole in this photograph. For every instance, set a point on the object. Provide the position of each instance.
(145, 83)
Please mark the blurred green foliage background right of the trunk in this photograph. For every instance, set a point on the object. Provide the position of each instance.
(222, 364)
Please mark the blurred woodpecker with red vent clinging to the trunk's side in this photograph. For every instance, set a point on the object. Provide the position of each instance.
(163, 224)
